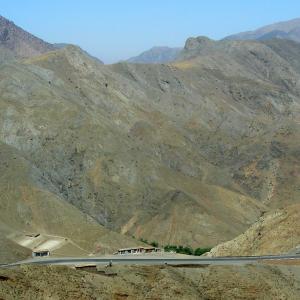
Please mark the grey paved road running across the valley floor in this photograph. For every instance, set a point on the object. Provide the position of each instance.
(154, 260)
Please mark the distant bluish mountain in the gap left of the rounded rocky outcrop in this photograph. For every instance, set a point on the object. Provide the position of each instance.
(156, 55)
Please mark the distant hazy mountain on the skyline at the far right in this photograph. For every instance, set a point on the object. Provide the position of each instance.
(284, 30)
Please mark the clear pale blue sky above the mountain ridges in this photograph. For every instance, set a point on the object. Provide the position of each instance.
(113, 30)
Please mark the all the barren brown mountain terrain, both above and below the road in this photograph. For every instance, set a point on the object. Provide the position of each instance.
(199, 150)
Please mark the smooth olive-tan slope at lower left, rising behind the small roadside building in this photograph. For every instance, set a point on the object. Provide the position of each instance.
(27, 207)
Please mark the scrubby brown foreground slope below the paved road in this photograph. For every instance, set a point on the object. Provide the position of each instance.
(141, 282)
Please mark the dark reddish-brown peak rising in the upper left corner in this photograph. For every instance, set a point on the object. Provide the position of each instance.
(19, 42)
